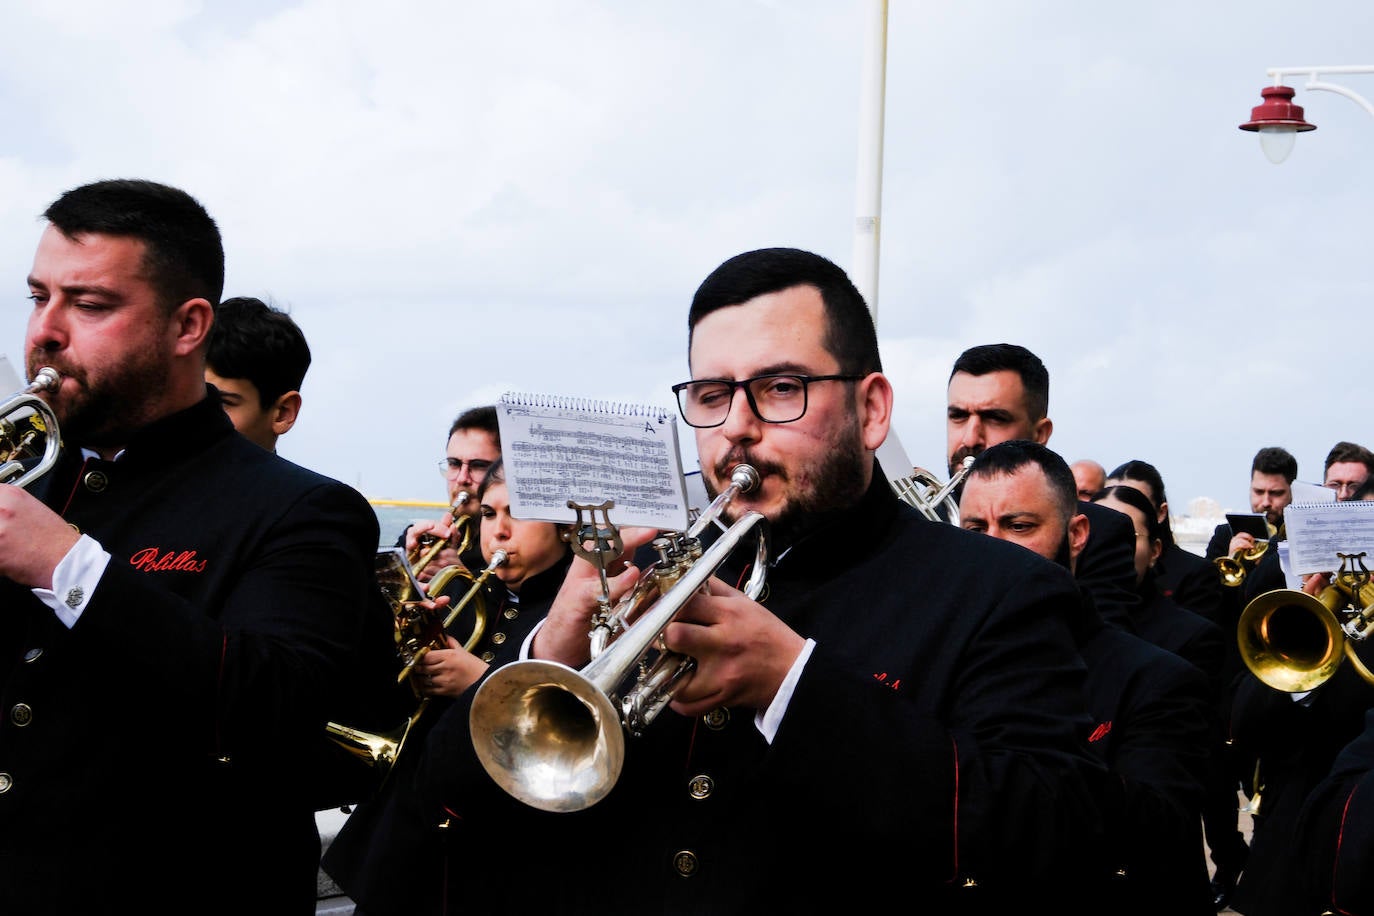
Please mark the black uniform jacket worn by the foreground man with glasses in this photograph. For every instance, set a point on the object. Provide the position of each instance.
(936, 737)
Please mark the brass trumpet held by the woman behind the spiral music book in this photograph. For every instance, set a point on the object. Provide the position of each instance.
(417, 634)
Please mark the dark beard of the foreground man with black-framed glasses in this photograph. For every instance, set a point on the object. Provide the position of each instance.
(836, 481)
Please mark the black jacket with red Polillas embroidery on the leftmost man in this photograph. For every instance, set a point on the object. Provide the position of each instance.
(156, 756)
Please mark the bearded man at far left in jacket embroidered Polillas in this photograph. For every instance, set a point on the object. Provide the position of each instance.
(183, 609)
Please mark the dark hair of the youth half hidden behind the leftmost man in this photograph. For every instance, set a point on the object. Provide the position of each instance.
(255, 341)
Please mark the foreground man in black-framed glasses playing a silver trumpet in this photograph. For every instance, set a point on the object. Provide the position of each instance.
(899, 718)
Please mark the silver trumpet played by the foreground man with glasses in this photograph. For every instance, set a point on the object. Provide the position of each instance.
(553, 737)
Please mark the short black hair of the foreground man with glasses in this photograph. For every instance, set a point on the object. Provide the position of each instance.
(851, 336)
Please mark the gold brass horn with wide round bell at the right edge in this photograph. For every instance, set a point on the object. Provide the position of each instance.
(1295, 642)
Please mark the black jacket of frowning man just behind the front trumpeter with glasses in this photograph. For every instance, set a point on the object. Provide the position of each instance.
(1153, 727)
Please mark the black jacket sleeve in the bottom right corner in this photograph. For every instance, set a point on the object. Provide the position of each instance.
(1336, 833)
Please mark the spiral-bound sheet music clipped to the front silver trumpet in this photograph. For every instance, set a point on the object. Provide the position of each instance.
(557, 450)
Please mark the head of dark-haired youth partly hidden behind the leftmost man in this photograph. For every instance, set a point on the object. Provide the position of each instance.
(258, 362)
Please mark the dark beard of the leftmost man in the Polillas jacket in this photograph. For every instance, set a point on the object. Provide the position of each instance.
(102, 410)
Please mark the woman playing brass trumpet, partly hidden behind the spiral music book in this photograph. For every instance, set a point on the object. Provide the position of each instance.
(390, 855)
